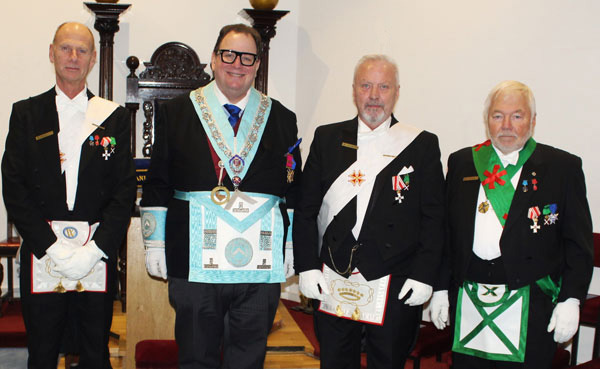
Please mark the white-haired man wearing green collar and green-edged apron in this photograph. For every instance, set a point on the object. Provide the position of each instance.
(520, 242)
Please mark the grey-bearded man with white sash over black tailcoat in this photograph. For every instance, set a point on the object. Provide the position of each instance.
(369, 227)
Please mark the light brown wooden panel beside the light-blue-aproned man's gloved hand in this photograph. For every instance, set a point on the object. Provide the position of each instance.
(149, 314)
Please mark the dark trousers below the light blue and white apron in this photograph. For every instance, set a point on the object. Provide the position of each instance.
(199, 323)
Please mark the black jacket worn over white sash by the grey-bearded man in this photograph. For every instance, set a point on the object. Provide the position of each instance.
(404, 239)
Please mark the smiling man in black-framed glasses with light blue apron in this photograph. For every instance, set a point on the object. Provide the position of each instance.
(224, 170)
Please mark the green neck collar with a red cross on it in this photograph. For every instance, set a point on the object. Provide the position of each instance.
(498, 190)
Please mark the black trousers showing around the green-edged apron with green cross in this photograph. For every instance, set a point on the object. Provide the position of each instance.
(540, 345)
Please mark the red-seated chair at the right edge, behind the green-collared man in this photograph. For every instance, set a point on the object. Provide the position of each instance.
(590, 311)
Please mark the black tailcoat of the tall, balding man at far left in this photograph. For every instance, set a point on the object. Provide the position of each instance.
(34, 188)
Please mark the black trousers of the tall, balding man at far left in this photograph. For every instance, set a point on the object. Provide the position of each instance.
(47, 316)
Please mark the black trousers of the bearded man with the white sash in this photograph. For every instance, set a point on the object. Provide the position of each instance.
(387, 346)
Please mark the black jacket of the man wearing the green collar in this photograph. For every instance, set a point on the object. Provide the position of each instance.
(563, 250)
